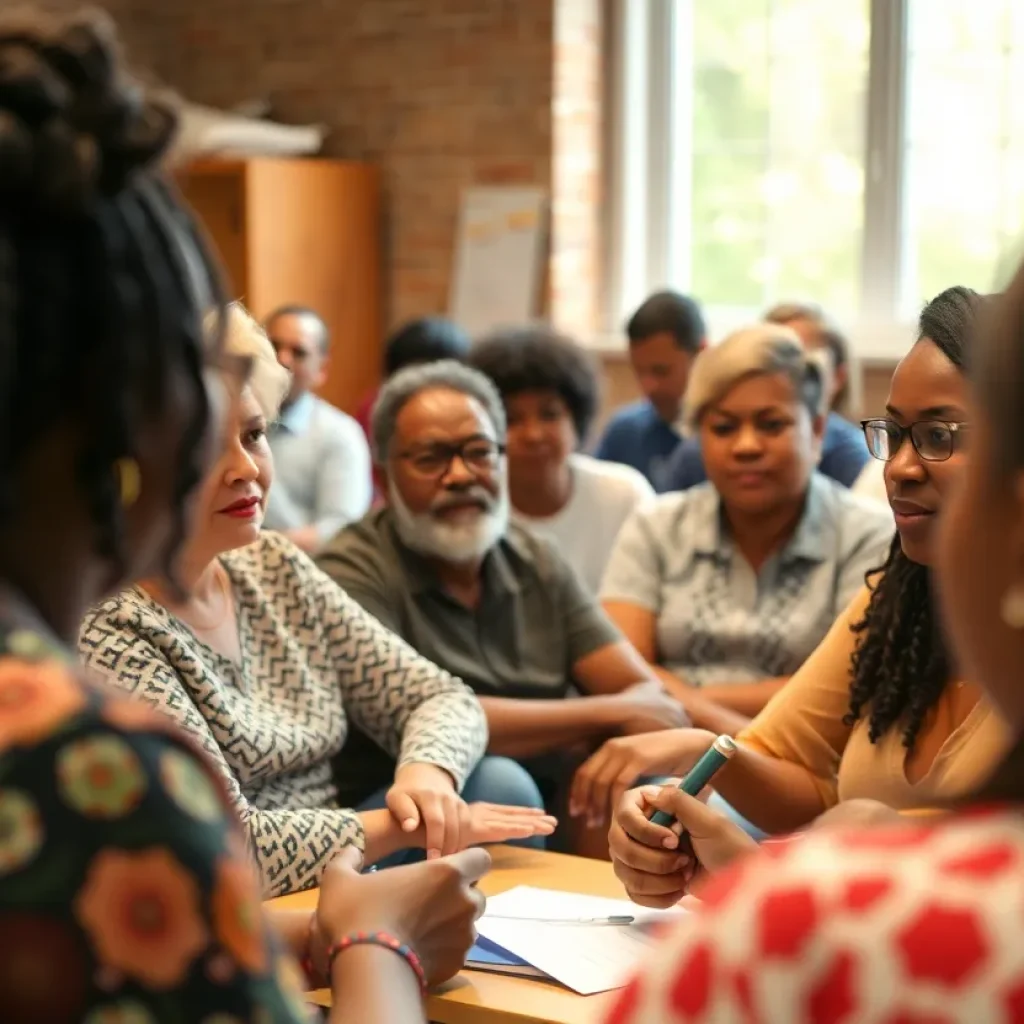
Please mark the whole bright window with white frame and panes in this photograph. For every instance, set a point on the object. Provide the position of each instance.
(863, 154)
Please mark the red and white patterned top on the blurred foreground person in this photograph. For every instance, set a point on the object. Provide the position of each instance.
(915, 925)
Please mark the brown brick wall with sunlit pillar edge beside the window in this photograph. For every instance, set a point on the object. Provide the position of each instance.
(443, 94)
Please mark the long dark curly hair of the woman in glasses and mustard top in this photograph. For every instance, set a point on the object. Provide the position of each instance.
(901, 666)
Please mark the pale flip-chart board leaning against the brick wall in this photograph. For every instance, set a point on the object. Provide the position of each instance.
(498, 259)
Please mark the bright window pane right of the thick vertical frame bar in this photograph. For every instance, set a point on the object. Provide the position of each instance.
(965, 176)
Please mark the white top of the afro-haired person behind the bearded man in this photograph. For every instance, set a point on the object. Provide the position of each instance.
(605, 495)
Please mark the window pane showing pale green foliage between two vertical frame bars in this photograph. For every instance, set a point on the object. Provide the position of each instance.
(779, 96)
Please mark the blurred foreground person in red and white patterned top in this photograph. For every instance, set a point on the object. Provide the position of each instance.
(914, 922)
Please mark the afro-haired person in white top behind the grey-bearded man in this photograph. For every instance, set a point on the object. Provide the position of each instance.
(550, 391)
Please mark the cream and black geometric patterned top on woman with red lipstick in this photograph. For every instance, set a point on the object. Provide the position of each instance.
(312, 662)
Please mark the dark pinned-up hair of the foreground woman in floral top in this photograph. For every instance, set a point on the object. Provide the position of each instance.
(107, 288)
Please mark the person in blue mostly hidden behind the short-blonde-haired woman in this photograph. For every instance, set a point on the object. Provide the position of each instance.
(843, 452)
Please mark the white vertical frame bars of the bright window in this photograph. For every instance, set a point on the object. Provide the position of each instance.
(650, 129)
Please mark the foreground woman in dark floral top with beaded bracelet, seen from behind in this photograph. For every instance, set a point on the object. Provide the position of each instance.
(125, 890)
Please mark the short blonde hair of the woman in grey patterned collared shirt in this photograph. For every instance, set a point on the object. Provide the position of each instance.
(753, 352)
